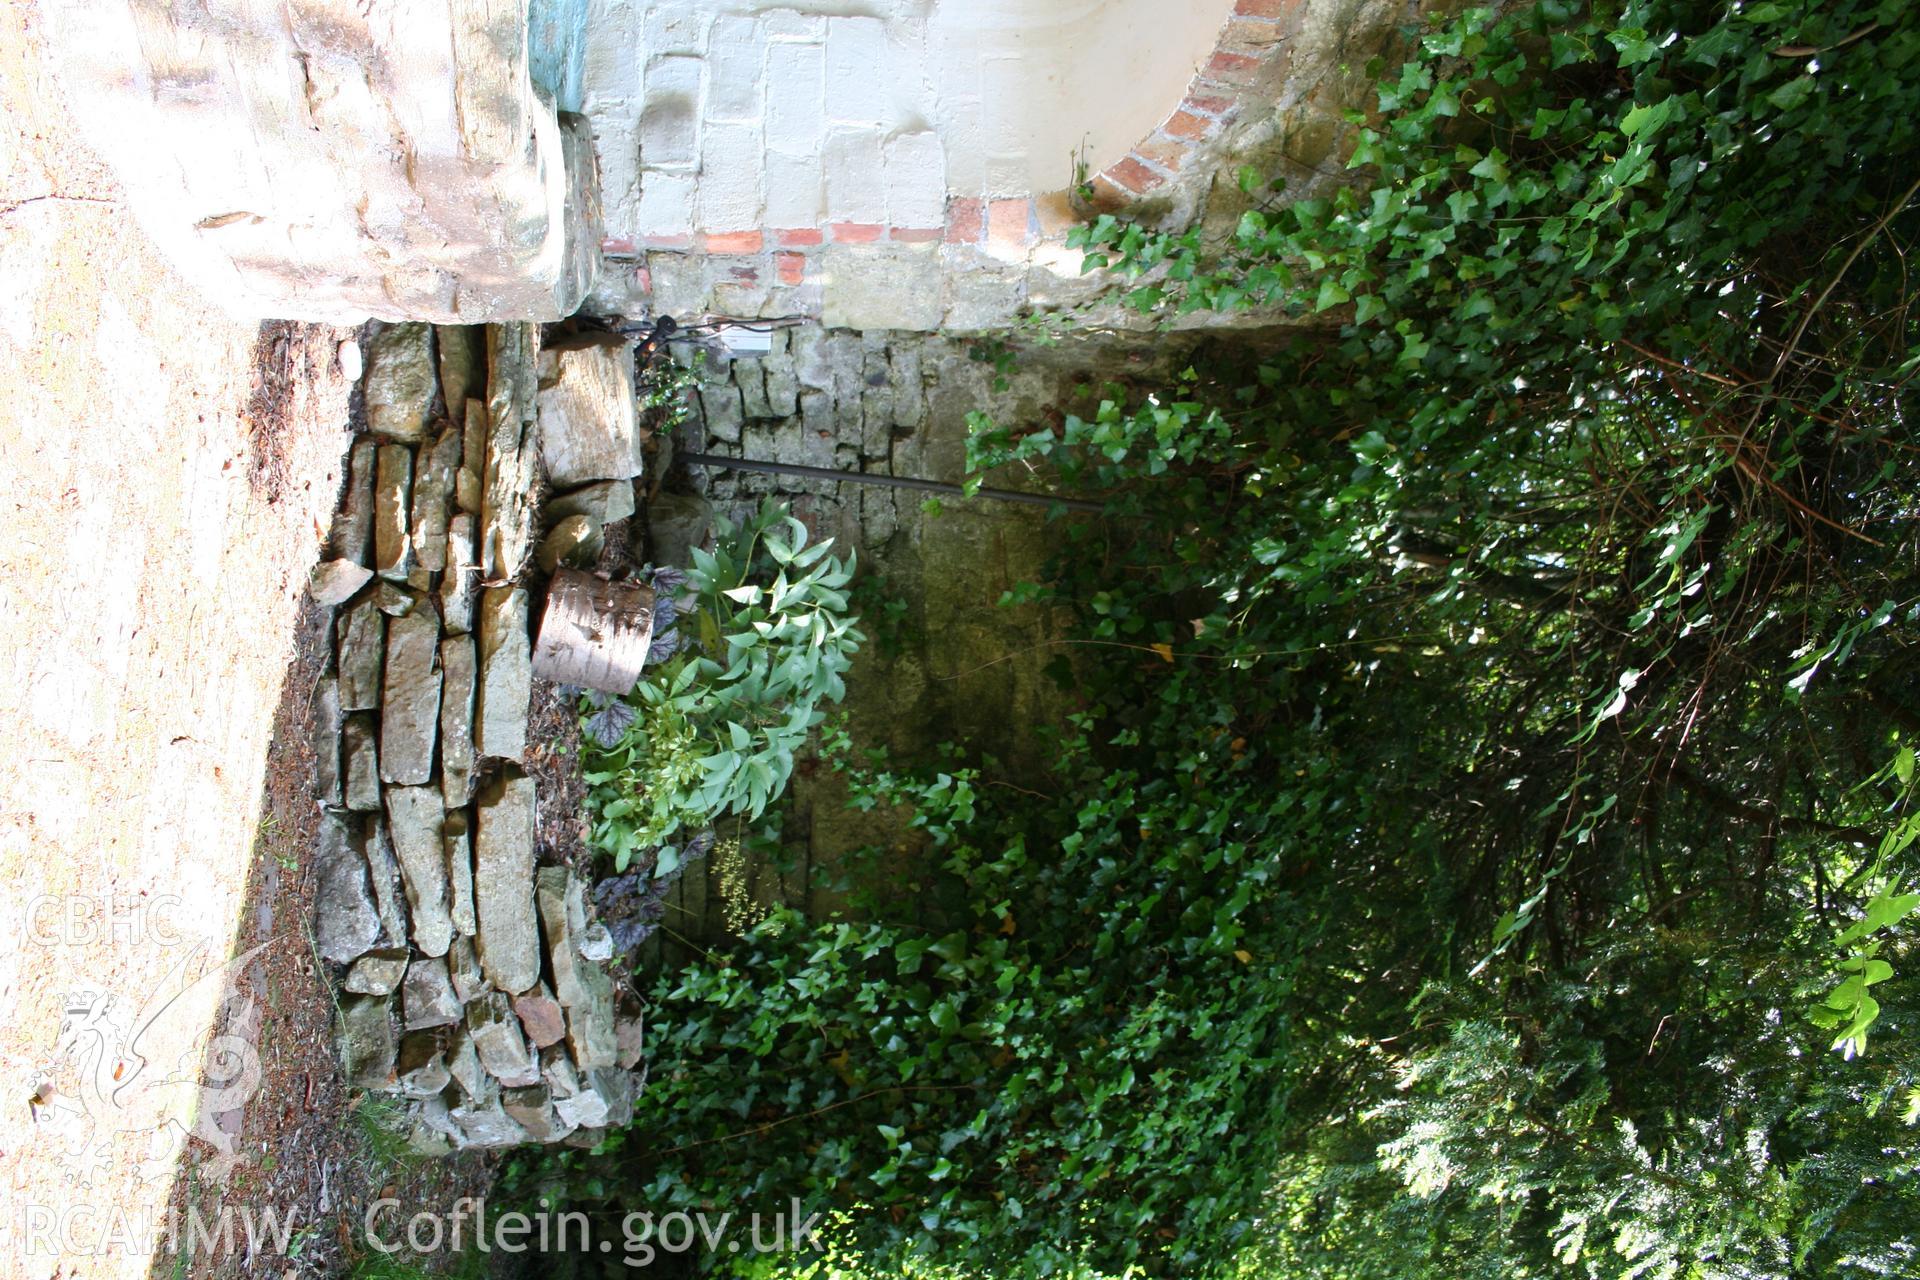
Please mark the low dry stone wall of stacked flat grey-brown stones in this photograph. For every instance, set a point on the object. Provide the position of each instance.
(473, 982)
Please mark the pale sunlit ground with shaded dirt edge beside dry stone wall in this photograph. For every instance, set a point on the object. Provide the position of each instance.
(164, 1030)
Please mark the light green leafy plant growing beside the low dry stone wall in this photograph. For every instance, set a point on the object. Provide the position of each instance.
(717, 728)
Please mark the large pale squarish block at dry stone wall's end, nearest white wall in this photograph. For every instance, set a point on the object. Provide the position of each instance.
(588, 415)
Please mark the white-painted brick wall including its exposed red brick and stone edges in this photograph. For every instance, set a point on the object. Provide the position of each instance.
(911, 166)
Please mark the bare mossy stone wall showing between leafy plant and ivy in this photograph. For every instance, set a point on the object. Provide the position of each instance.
(946, 659)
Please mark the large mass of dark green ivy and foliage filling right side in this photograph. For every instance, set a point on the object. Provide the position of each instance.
(1458, 863)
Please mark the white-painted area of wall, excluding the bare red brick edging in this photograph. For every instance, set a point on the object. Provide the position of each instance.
(717, 116)
